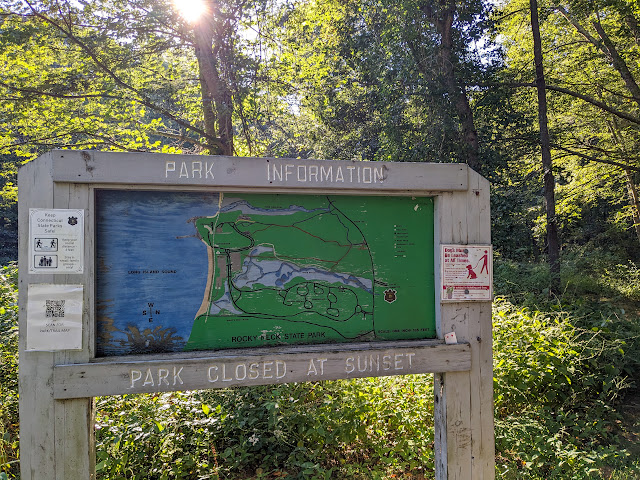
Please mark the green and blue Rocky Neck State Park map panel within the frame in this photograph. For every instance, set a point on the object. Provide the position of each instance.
(184, 271)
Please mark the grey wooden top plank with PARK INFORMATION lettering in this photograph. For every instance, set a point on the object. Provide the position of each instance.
(260, 174)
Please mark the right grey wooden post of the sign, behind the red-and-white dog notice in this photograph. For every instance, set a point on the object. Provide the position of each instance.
(464, 400)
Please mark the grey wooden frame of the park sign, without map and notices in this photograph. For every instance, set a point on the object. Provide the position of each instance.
(57, 387)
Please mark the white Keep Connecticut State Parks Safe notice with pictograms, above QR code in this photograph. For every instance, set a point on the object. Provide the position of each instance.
(56, 240)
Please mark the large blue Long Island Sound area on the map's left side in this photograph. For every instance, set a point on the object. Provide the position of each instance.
(147, 253)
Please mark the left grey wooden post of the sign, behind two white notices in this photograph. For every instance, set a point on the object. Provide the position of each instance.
(56, 436)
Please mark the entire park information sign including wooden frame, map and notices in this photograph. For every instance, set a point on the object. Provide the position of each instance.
(146, 273)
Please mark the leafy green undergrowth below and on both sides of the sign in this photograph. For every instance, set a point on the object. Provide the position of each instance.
(563, 365)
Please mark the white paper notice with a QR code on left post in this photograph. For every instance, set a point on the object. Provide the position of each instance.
(54, 317)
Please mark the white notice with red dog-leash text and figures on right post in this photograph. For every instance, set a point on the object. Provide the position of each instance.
(467, 272)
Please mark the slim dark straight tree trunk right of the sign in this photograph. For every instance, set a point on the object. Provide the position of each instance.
(553, 243)
